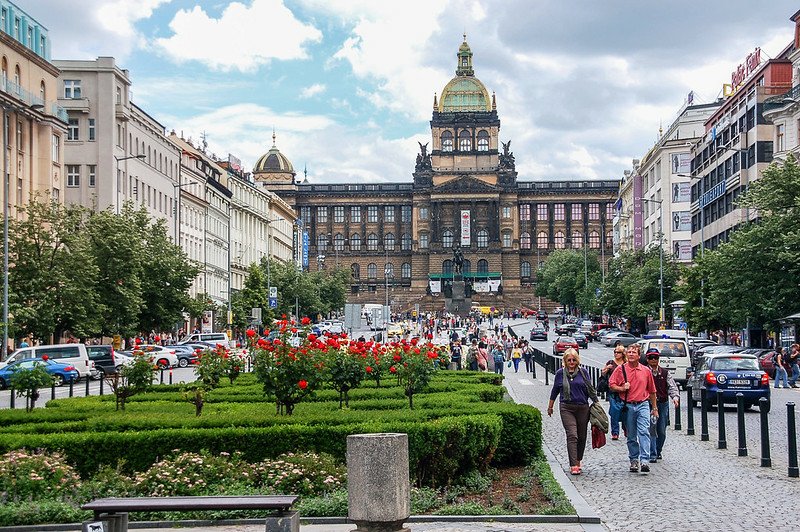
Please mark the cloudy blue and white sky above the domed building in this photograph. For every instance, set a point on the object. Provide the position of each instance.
(582, 86)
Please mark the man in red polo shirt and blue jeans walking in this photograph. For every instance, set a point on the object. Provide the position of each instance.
(635, 386)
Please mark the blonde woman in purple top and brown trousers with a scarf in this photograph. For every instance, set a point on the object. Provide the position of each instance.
(575, 388)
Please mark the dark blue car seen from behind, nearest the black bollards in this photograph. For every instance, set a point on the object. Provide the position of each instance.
(730, 373)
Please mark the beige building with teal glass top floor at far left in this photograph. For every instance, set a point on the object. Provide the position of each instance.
(36, 125)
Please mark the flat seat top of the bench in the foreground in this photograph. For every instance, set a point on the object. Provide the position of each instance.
(215, 502)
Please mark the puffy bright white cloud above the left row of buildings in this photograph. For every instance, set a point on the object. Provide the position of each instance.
(243, 37)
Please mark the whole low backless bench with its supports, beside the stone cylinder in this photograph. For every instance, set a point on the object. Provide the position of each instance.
(113, 512)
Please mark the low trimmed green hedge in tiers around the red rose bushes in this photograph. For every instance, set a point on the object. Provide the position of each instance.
(459, 424)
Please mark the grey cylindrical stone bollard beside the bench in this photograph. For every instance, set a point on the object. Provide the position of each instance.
(378, 486)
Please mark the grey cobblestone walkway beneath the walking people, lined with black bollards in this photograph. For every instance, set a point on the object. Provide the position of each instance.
(695, 487)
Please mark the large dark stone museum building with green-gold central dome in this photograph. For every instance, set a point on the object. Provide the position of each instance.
(398, 238)
